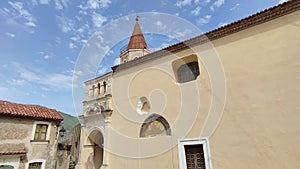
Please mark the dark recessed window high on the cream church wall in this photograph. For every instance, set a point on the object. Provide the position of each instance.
(188, 72)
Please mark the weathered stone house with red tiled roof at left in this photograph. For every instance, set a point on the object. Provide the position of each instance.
(28, 135)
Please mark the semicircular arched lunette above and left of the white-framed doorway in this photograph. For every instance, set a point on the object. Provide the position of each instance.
(155, 125)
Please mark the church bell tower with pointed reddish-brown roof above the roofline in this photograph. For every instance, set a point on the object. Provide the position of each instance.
(137, 46)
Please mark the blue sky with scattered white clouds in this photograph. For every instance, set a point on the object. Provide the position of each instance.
(42, 41)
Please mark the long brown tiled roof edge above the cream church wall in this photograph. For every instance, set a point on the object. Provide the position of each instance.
(256, 19)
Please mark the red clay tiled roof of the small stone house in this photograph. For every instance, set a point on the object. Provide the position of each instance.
(28, 111)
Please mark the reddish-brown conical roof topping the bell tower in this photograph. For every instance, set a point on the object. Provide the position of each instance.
(137, 40)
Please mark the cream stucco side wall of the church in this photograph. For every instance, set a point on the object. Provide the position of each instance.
(259, 125)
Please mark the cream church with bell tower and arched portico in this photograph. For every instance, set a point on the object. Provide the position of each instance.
(228, 98)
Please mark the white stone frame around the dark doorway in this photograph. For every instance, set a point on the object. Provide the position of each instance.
(193, 141)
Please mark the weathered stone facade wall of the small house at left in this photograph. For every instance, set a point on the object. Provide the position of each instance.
(16, 135)
